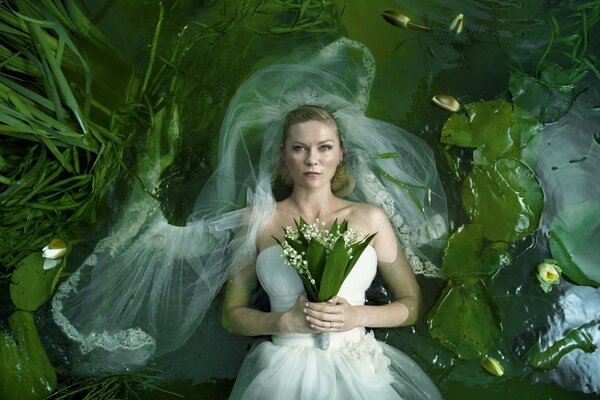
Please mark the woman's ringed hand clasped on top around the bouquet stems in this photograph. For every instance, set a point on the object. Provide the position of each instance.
(333, 315)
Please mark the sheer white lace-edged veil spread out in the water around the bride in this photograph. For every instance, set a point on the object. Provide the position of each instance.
(146, 287)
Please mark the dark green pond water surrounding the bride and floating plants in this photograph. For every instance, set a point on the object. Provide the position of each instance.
(225, 42)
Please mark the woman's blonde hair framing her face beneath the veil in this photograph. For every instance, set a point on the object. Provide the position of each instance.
(342, 182)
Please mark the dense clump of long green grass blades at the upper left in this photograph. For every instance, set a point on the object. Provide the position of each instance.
(70, 158)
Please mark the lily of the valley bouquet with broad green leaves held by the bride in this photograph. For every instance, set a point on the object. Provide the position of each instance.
(323, 258)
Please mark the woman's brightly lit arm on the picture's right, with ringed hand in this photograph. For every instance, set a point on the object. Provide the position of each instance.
(399, 278)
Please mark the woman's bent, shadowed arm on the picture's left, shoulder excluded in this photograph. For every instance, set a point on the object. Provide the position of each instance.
(240, 319)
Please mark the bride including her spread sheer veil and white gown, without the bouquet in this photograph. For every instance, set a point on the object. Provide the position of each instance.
(147, 287)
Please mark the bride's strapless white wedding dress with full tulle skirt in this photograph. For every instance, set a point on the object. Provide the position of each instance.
(355, 366)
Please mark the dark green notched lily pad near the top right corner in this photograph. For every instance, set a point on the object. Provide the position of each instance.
(551, 96)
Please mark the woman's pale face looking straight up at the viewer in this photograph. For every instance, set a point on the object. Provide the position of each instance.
(312, 152)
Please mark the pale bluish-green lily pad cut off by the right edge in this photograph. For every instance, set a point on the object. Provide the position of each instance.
(575, 240)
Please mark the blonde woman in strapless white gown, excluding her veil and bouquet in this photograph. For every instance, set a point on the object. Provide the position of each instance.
(292, 366)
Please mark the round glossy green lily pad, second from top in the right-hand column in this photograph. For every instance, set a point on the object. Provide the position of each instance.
(505, 198)
